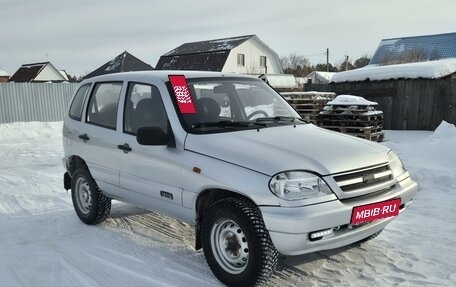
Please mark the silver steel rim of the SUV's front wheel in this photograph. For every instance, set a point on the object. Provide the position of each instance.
(229, 246)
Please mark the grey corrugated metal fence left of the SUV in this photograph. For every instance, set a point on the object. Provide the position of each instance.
(41, 102)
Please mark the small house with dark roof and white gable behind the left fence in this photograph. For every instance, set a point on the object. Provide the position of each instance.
(37, 72)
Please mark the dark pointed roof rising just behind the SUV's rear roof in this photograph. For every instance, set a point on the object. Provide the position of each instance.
(125, 62)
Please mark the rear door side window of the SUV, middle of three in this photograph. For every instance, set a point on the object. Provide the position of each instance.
(102, 110)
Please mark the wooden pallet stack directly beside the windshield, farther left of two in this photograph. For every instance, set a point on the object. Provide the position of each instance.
(309, 104)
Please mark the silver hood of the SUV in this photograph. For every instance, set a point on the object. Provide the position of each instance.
(302, 147)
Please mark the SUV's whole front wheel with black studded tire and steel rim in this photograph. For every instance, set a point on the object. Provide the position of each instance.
(236, 244)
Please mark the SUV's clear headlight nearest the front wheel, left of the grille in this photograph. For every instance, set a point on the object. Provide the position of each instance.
(297, 185)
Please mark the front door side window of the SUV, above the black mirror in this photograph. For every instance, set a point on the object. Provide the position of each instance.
(144, 108)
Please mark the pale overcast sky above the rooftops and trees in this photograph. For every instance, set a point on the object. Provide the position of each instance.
(79, 36)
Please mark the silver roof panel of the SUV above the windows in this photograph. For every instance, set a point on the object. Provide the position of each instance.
(161, 75)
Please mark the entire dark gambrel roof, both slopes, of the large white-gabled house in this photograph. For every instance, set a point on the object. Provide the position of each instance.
(208, 55)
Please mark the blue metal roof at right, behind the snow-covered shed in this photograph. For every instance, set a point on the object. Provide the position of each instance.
(415, 49)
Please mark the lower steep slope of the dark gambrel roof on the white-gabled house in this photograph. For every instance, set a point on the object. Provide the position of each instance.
(211, 61)
